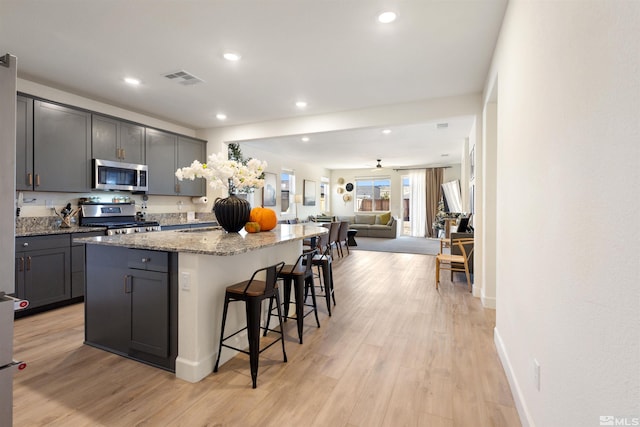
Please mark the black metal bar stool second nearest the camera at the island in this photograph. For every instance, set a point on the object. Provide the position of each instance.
(300, 274)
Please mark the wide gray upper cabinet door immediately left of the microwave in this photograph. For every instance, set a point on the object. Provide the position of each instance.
(61, 147)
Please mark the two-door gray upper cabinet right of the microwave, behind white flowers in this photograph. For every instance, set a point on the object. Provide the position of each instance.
(166, 152)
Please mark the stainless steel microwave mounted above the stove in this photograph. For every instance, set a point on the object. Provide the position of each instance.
(109, 175)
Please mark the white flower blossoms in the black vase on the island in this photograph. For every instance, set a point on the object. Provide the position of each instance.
(224, 173)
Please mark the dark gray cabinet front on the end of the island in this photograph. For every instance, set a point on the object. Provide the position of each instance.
(131, 303)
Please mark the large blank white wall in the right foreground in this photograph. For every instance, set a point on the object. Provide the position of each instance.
(568, 195)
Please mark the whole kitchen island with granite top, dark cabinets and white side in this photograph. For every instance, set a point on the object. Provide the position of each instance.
(158, 297)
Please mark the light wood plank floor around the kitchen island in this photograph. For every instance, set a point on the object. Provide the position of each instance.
(396, 352)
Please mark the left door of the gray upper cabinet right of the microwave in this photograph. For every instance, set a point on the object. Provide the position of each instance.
(161, 159)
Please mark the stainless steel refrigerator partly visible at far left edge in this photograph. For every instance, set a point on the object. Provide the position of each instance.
(7, 233)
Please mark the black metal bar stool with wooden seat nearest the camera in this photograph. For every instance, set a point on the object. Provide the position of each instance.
(253, 292)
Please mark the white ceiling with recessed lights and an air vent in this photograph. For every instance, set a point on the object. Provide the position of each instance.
(332, 54)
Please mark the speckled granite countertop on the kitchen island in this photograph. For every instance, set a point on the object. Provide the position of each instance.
(208, 242)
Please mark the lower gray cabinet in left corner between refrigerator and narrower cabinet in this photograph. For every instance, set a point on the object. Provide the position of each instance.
(43, 269)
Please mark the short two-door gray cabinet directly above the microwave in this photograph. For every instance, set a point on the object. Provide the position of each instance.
(117, 140)
